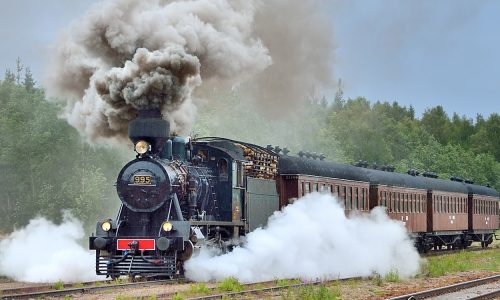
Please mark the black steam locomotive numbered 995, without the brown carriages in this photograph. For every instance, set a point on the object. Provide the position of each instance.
(176, 194)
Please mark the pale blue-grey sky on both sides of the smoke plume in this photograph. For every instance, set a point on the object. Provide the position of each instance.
(420, 53)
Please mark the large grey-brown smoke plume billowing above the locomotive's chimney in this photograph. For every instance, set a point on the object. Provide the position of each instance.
(124, 55)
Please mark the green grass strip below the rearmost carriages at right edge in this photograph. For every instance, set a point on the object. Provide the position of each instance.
(461, 262)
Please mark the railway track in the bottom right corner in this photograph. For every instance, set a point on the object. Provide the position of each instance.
(490, 289)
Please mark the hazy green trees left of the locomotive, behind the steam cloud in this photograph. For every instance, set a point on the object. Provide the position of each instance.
(45, 167)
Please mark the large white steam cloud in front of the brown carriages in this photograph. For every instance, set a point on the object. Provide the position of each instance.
(312, 239)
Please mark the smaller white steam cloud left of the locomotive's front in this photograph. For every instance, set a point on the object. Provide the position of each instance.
(45, 252)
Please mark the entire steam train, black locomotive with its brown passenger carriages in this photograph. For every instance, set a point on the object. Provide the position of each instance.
(180, 193)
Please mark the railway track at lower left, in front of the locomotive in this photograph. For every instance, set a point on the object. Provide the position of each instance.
(86, 288)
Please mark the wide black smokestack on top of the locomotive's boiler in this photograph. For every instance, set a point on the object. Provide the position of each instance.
(149, 126)
